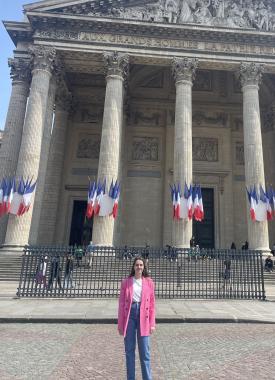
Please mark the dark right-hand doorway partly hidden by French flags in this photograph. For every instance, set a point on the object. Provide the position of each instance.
(204, 231)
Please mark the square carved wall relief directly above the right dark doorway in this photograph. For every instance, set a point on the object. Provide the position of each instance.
(205, 149)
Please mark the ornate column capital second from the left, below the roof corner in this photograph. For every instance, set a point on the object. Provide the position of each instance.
(43, 58)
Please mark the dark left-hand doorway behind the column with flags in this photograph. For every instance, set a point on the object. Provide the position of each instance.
(81, 227)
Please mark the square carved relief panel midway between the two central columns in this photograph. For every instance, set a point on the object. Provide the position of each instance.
(145, 149)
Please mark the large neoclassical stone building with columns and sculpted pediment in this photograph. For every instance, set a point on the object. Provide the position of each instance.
(150, 92)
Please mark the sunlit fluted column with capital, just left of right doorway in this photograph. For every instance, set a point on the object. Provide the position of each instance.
(183, 70)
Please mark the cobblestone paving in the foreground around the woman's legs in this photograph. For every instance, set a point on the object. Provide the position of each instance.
(179, 351)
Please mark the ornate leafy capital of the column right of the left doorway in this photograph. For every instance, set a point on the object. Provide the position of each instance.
(116, 64)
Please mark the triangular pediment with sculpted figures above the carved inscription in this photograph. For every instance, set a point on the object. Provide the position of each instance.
(255, 14)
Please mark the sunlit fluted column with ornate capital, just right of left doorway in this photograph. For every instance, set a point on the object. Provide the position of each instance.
(110, 147)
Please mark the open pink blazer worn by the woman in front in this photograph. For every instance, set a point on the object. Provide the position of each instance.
(147, 306)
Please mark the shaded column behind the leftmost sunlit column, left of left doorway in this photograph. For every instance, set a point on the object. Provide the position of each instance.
(52, 190)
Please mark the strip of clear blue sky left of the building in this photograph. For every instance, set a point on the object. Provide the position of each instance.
(11, 11)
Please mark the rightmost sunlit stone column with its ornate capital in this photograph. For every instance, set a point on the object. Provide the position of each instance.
(250, 76)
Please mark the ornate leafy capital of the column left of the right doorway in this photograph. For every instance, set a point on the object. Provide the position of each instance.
(184, 69)
